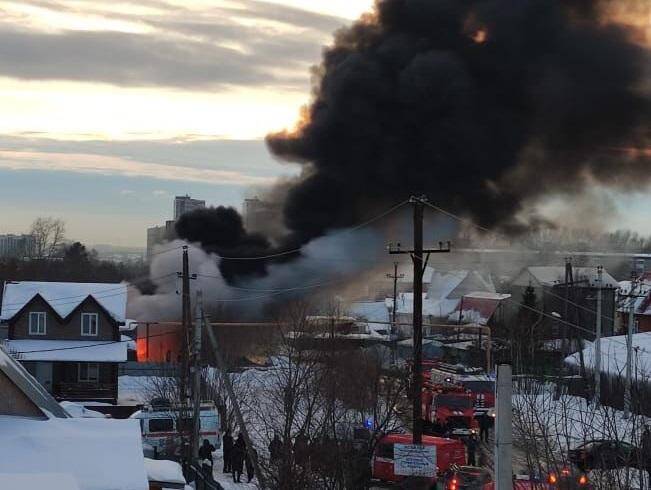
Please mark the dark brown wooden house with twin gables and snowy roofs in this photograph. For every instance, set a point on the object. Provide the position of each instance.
(67, 336)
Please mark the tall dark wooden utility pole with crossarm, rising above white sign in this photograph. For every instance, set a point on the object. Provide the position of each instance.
(419, 267)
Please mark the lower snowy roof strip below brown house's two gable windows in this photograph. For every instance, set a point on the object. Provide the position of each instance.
(68, 350)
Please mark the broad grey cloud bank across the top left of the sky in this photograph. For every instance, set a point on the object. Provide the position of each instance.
(250, 43)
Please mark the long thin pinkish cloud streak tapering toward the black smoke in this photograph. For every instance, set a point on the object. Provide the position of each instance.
(111, 165)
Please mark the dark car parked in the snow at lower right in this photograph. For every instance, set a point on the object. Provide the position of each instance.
(604, 454)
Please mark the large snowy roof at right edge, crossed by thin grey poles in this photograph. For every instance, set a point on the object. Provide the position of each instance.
(613, 354)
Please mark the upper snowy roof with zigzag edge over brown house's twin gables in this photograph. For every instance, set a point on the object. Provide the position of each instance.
(64, 297)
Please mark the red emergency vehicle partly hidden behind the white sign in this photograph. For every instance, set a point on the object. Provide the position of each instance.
(448, 452)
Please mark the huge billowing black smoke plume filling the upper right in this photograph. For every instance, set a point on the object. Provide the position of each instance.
(480, 105)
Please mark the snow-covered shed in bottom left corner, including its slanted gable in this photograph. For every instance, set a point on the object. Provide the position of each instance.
(42, 443)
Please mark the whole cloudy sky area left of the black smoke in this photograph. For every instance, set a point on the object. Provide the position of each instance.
(110, 108)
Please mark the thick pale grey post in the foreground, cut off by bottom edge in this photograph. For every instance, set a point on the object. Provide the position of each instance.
(503, 429)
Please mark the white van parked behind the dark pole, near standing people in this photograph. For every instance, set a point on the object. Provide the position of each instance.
(165, 427)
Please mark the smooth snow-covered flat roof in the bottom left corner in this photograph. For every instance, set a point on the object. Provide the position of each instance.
(101, 454)
